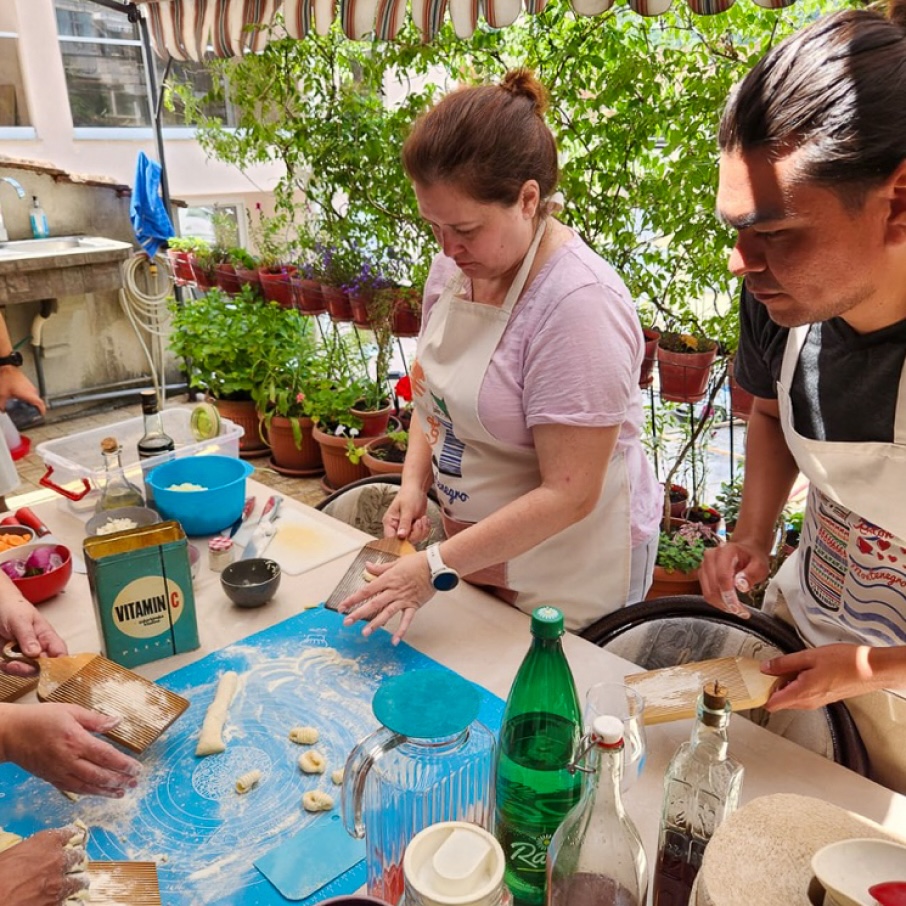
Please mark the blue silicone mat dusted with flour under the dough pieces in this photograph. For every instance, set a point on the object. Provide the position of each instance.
(185, 814)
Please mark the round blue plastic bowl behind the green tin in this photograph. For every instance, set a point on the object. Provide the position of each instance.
(201, 512)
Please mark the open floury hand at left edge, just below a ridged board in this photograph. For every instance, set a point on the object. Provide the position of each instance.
(56, 742)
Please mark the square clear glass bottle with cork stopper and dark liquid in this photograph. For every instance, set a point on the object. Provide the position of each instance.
(701, 787)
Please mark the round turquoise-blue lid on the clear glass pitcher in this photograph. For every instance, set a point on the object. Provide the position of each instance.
(426, 704)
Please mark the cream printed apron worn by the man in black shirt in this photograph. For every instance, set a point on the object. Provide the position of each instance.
(847, 581)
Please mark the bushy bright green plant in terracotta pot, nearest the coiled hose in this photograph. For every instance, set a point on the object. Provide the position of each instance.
(224, 341)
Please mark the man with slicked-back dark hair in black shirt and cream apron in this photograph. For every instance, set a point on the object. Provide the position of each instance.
(813, 179)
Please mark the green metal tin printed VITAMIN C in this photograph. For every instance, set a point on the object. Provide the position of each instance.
(141, 584)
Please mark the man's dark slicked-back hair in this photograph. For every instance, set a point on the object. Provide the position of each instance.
(834, 91)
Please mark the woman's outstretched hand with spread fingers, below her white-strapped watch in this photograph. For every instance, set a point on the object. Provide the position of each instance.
(400, 587)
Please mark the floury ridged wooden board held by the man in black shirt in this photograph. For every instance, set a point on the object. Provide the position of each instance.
(672, 692)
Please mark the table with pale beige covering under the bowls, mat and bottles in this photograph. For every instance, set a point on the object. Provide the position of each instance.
(485, 640)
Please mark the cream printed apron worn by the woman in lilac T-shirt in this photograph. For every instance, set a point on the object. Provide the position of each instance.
(583, 570)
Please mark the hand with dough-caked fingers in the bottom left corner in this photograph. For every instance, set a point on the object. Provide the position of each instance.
(43, 870)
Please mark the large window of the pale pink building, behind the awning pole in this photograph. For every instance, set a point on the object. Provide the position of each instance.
(105, 70)
